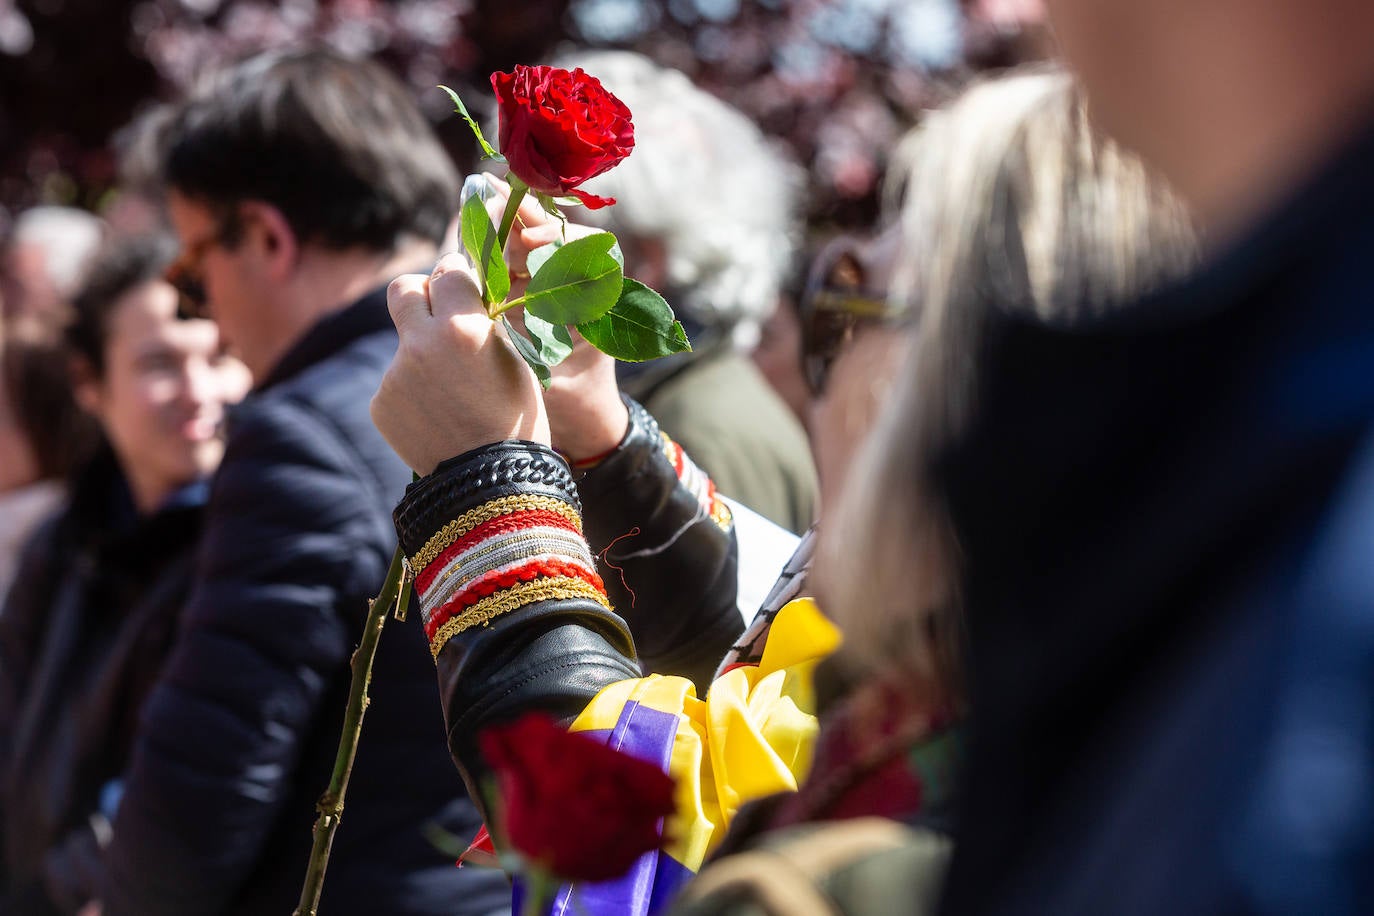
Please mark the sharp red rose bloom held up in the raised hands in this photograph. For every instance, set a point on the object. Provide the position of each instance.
(560, 128)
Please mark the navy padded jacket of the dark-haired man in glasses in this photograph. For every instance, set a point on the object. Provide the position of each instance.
(238, 740)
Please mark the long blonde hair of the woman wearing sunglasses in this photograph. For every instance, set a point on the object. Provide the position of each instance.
(1015, 205)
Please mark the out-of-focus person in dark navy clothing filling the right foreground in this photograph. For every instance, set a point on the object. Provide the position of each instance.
(1171, 569)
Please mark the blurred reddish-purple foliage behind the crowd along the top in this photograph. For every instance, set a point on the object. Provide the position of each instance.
(837, 80)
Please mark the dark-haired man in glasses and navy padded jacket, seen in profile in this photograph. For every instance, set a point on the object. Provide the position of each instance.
(300, 185)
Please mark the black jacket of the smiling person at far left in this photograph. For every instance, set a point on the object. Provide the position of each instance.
(85, 634)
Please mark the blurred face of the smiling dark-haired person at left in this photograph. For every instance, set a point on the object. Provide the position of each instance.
(163, 393)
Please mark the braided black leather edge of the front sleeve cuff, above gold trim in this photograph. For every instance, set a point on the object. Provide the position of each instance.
(513, 468)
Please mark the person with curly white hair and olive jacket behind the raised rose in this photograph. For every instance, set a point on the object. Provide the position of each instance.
(707, 216)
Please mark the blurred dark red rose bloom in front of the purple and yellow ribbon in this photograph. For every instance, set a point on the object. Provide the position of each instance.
(574, 807)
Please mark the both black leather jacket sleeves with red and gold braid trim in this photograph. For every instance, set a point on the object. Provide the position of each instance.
(666, 557)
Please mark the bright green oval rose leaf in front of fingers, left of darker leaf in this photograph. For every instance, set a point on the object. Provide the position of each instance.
(579, 282)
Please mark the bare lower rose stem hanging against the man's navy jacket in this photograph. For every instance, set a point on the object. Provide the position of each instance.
(332, 803)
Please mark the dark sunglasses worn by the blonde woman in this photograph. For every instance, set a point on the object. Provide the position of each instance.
(836, 303)
